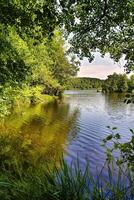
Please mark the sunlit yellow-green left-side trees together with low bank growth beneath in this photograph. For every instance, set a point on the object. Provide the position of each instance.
(31, 68)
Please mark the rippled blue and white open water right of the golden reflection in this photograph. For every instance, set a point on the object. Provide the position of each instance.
(97, 110)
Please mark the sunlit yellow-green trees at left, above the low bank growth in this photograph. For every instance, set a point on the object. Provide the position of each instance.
(20, 58)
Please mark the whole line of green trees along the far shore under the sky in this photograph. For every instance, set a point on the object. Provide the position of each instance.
(114, 83)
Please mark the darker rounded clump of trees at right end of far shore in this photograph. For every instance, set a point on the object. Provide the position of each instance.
(118, 83)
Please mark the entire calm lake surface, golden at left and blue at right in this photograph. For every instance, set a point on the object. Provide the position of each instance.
(73, 127)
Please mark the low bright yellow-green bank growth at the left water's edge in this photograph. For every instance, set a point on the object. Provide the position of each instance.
(20, 98)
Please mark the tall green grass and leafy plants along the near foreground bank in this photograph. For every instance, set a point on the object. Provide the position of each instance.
(22, 179)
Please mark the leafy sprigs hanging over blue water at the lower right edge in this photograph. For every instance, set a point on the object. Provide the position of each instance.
(126, 149)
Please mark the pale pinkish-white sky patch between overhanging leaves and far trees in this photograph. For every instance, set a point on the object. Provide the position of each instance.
(100, 67)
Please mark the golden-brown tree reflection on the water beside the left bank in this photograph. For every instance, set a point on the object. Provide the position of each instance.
(42, 137)
